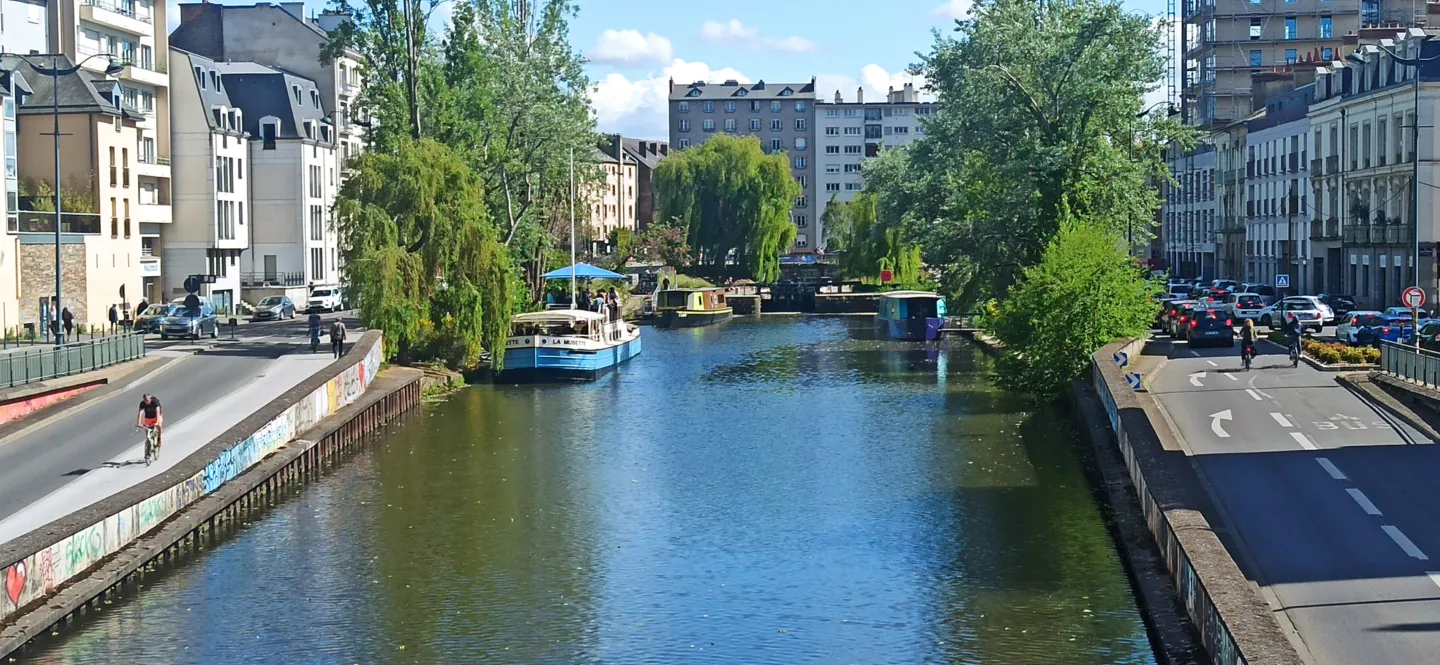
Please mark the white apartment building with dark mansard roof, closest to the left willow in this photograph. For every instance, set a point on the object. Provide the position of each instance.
(293, 173)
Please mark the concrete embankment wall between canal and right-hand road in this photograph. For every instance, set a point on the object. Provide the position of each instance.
(1236, 627)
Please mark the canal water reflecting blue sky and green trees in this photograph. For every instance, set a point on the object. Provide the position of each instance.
(768, 492)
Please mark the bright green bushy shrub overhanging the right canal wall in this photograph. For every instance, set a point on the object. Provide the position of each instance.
(1085, 294)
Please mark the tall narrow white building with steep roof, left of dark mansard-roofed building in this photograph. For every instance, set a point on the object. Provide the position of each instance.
(211, 192)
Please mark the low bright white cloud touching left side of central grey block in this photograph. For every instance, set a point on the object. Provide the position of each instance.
(639, 109)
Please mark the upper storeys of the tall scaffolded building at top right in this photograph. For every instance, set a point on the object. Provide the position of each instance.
(1223, 42)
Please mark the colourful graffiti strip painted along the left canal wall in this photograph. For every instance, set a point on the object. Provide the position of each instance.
(41, 574)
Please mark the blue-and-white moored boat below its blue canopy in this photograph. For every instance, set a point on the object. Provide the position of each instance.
(567, 345)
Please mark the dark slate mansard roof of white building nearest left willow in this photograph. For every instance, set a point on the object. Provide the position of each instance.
(269, 93)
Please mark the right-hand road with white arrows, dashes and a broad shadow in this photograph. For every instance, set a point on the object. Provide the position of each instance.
(1327, 503)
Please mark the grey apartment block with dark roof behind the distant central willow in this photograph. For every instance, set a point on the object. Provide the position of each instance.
(781, 116)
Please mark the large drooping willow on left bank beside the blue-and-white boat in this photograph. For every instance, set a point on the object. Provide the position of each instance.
(449, 299)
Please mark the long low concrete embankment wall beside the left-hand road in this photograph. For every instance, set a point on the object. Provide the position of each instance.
(47, 561)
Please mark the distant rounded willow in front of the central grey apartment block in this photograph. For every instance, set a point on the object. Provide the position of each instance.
(731, 198)
